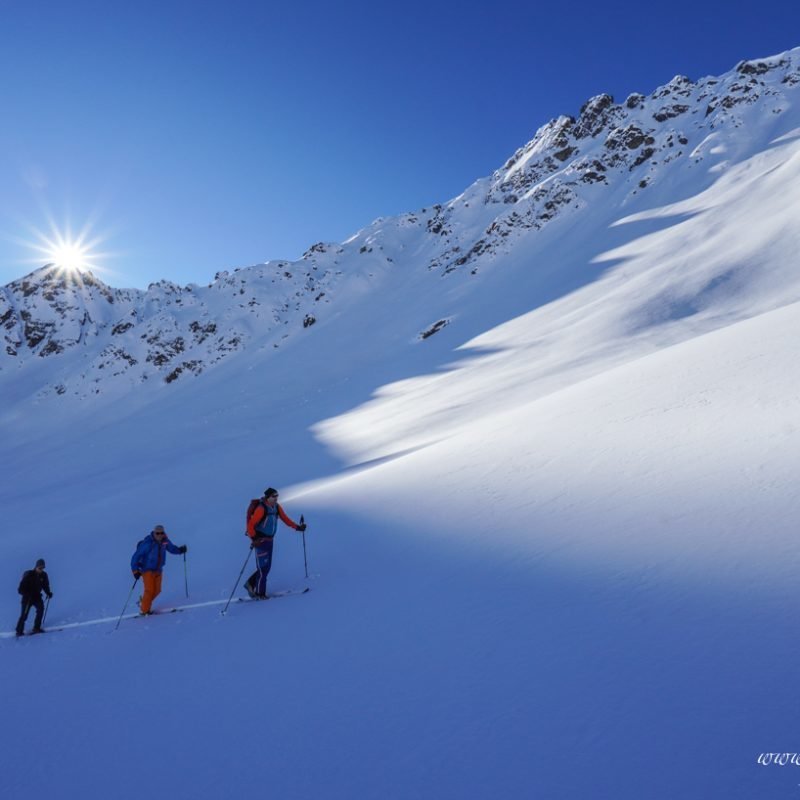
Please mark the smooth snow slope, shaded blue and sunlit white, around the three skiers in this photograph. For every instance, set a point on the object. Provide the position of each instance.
(552, 548)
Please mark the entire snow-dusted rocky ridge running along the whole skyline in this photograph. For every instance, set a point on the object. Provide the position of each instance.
(98, 338)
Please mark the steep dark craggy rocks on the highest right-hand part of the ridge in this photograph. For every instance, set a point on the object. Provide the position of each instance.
(570, 159)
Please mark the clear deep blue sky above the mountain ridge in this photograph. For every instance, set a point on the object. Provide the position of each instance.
(196, 137)
